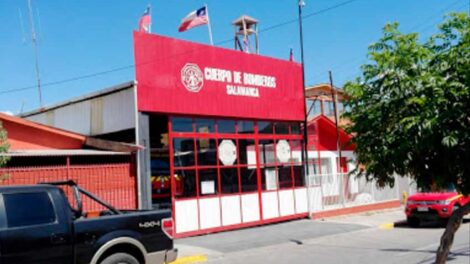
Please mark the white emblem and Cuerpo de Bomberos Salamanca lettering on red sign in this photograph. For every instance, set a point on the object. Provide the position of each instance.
(238, 83)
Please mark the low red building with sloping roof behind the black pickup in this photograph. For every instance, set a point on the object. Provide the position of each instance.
(39, 153)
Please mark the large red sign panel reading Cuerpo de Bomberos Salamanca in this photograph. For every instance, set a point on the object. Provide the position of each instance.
(181, 77)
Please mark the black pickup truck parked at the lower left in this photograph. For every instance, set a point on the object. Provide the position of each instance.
(38, 225)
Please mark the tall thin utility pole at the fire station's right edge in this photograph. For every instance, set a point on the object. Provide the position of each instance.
(301, 4)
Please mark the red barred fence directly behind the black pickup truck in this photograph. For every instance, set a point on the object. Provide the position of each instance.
(114, 183)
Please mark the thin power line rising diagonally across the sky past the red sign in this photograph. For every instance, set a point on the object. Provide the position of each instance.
(322, 11)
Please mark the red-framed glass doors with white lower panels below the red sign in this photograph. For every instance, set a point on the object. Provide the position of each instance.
(228, 173)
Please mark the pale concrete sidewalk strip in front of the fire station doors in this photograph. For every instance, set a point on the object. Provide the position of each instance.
(213, 246)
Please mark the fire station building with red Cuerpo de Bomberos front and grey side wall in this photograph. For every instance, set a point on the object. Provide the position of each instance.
(220, 131)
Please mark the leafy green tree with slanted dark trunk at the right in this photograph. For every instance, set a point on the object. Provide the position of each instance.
(410, 112)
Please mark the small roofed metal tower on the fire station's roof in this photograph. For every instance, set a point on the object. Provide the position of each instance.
(246, 28)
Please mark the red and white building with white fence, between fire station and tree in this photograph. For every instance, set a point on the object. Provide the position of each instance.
(334, 190)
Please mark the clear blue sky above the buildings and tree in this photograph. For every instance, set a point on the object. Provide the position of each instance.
(81, 38)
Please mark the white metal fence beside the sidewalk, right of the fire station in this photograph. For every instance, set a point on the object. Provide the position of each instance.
(334, 191)
